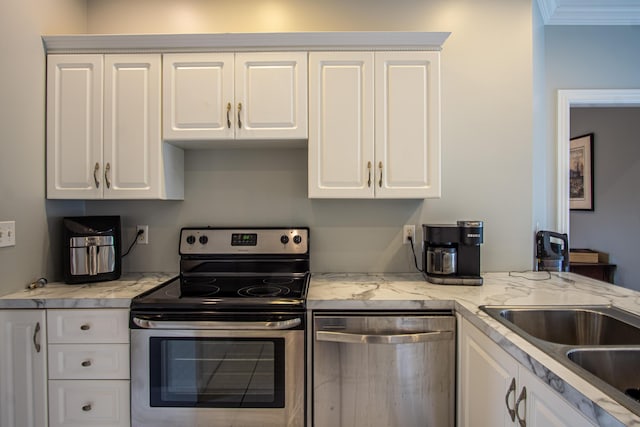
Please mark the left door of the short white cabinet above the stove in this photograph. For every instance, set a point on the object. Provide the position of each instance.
(198, 96)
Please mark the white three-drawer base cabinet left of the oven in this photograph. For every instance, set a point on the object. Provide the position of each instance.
(88, 359)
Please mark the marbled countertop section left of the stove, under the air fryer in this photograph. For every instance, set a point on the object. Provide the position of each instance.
(112, 294)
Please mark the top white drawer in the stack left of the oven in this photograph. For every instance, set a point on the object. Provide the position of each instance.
(88, 326)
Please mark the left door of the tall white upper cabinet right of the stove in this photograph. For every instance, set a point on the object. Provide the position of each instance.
(341, 162)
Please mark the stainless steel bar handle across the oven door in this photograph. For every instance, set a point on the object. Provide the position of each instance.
(216, 325)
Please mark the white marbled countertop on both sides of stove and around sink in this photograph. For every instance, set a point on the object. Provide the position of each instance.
(349, 291)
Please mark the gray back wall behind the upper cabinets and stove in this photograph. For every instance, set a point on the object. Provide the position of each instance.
(486, 136)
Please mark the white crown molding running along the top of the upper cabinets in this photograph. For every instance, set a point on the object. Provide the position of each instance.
(238, 42)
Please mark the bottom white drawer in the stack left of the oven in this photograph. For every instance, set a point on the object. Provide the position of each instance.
(84, 403)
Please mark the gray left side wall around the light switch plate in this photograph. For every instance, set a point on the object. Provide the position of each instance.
(22, 145)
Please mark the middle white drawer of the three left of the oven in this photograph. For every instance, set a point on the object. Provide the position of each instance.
(89, 361)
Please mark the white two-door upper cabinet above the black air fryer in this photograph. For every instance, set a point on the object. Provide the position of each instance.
(103, 129)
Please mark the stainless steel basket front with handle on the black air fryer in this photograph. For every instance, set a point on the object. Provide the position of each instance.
(92, 255)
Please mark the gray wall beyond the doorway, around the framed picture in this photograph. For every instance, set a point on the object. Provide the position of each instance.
(614, 225)
